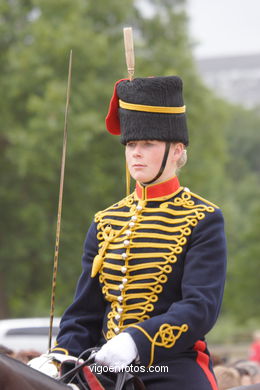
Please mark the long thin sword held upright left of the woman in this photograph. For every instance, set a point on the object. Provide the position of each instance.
(57, 241)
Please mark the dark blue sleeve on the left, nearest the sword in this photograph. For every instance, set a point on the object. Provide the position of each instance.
(81, 324)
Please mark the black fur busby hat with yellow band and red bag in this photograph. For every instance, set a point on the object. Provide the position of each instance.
(148, 108)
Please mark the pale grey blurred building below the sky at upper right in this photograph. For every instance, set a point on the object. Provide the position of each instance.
(235, 78)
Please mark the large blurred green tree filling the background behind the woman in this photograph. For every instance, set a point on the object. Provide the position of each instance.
(35, 40)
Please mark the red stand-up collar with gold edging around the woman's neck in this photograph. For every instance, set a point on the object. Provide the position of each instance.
(157, 190)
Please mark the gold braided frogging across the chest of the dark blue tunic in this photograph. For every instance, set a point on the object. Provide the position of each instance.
(175, 219)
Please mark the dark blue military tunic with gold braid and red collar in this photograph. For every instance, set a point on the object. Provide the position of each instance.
(158, 273)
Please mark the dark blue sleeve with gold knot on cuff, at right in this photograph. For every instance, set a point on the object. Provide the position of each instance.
(188, 320)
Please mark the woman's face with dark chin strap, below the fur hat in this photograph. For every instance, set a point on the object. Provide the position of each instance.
(144, 159)
